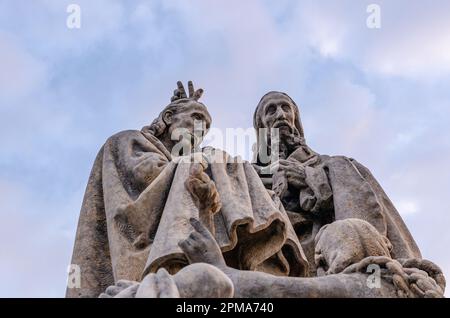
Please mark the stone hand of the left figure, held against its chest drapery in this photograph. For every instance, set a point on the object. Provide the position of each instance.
(204, 193)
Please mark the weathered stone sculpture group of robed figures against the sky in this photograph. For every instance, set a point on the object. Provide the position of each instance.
(163, 218)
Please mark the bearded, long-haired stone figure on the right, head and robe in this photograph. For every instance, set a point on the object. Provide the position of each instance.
(319, 189)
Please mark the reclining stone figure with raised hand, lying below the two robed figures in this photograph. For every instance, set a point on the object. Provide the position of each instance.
(344, 251)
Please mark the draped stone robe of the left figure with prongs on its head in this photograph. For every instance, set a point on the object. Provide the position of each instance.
(136, 209)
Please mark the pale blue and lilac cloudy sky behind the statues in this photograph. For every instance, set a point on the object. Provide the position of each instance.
(379, 95)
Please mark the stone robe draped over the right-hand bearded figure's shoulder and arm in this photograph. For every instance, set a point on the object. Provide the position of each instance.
(340, 188)
